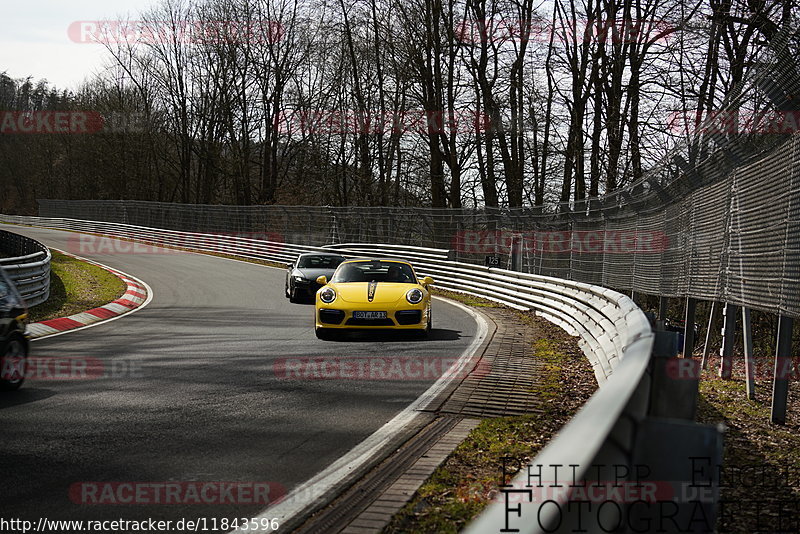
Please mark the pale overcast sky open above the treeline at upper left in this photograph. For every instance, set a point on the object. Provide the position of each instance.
(34, 39)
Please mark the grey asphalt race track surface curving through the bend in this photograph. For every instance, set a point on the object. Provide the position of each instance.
(195, 395)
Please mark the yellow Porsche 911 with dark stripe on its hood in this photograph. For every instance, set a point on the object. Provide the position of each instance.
(373, 294)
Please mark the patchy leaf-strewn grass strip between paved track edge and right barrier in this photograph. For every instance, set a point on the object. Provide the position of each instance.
(468, 479)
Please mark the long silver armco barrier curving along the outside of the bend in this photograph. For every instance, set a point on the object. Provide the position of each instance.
(640, 416)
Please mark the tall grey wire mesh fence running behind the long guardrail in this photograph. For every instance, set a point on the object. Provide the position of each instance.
(731, 236)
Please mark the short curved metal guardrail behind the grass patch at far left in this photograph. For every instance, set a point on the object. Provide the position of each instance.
(28, 267)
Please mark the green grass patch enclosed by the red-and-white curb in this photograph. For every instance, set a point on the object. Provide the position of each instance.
(76, 286)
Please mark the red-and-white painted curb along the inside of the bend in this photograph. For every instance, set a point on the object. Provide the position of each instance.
(136, 295)
